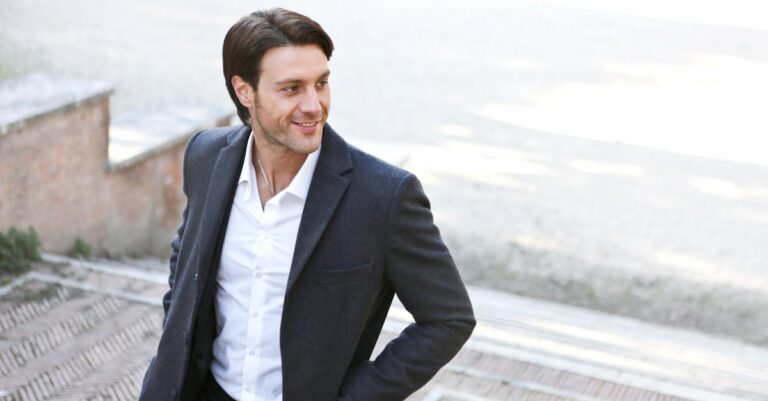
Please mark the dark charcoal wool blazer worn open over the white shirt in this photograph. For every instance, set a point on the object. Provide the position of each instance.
(366, 233)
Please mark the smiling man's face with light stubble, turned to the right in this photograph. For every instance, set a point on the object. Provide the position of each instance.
(292, 99)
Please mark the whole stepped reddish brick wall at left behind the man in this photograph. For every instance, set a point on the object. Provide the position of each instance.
(55, 176)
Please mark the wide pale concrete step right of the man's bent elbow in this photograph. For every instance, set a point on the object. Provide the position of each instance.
(619, 350)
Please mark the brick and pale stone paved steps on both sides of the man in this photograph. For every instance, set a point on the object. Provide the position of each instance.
(85, 331)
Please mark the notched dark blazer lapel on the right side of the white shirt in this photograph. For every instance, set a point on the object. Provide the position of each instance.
(325, 192)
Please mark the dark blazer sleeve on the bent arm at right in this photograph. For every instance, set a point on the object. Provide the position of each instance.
(424, 277)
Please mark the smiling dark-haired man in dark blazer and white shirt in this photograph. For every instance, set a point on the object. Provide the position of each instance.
(293, 244)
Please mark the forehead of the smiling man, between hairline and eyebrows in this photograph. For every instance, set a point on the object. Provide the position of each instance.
(293, 62)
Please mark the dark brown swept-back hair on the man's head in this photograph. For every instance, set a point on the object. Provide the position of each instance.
(250, 38)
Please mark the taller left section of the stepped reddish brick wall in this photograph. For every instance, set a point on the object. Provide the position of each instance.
(52, 171)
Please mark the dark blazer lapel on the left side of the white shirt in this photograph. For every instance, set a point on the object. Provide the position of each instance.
(218, 198)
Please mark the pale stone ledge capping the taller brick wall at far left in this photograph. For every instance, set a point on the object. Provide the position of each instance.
(31, 97)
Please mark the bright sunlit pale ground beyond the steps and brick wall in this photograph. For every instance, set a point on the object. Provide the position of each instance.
(499, 104)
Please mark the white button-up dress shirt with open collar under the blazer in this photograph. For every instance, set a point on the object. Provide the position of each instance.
(255, 261)
